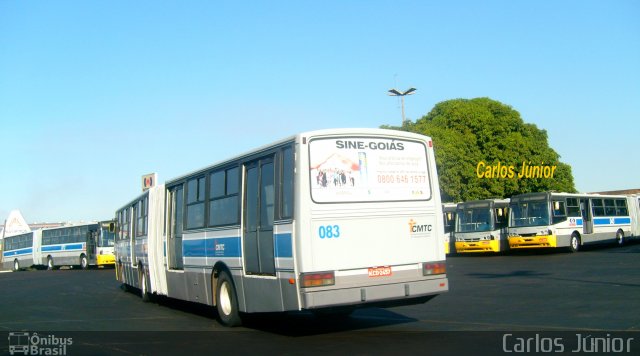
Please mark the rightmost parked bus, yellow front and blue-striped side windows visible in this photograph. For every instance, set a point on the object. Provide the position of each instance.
(550, 219)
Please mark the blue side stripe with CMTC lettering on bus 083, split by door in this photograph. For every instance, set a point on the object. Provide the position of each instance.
(230, 247)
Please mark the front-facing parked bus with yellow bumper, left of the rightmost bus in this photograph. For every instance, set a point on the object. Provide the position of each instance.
(481, 226)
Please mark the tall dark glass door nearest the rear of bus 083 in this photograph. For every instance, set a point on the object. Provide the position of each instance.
(259, 209)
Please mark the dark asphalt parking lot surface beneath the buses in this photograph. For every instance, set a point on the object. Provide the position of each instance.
(595, 291)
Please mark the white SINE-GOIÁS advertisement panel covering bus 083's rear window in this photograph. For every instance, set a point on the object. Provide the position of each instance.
(368, 169)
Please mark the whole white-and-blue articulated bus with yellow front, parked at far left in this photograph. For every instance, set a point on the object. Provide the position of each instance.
(80, 245)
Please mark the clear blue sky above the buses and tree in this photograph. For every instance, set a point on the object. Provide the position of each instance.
(94, 94)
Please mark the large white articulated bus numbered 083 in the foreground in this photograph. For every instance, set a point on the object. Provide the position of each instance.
(322, 221)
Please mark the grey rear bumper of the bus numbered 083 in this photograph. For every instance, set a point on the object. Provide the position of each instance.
(393, 294)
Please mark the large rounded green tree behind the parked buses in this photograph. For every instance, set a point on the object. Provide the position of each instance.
(466, 132)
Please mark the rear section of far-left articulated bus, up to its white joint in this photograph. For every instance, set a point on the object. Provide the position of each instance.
(19, 250)
